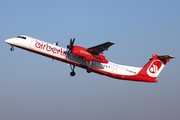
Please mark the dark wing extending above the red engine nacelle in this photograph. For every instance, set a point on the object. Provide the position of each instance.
(100, 48)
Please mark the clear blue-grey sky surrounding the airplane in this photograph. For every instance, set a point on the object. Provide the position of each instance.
(32, 87)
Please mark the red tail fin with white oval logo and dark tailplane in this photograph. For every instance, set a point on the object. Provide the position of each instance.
(153, 68)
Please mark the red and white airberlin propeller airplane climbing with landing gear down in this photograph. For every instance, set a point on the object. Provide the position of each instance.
(92, 59)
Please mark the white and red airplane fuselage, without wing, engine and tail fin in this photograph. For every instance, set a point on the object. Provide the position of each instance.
(62, 54)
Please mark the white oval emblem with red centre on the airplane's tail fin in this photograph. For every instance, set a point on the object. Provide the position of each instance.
(155, 68)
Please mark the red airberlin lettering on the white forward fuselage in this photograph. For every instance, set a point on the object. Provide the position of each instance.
(49, 48)
